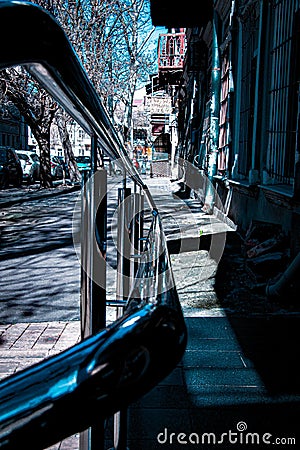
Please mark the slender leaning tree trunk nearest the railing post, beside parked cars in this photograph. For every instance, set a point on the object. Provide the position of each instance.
(61, 122)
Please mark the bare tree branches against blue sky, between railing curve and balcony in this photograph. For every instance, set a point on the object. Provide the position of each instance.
(109, 37)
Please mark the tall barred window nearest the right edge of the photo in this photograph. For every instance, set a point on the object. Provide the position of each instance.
(283, 93)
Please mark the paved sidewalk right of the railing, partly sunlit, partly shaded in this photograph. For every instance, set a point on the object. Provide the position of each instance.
(238, 374)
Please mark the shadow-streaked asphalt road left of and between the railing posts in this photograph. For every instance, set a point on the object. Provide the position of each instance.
(40, 268)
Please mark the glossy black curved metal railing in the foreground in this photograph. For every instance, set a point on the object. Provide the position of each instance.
(115, 364)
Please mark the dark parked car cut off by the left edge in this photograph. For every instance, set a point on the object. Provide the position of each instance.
(10, 168)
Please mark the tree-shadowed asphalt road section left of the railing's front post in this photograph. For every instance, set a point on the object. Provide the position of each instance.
(40, 272)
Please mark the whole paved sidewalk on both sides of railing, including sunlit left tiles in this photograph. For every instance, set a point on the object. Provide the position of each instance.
(238, 371)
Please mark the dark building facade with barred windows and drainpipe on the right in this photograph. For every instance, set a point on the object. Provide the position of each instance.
(238, 119)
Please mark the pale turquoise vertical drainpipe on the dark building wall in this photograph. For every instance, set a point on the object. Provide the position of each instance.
(214, 121)
